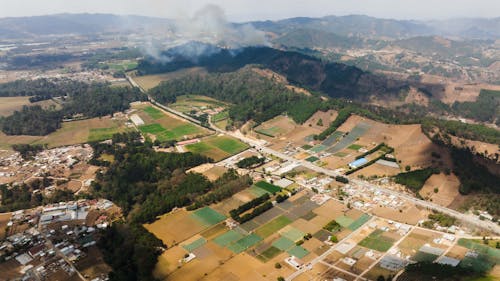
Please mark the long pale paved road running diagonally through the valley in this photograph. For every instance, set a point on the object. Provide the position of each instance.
(259, 145)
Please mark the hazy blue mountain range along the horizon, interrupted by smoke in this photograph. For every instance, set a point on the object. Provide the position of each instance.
(349, 26)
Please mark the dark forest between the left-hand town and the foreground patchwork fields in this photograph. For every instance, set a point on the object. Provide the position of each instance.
(145, 184)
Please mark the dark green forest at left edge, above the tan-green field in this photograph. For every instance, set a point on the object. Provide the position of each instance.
(89, 100)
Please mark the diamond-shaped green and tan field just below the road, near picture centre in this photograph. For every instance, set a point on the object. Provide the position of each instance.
(217, 147)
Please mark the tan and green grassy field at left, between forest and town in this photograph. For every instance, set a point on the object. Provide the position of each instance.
(76, 132)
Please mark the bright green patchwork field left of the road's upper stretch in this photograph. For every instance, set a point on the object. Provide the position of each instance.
(163, 126)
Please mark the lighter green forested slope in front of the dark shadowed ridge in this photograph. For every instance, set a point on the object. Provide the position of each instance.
(253, 96)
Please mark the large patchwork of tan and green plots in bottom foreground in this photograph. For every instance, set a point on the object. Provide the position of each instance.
(250, 250)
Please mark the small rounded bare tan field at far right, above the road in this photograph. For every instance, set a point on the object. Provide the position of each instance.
(446, 185)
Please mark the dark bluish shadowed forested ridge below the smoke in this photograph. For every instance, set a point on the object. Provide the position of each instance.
(333, 79)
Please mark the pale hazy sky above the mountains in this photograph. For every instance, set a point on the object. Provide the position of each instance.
(243, 10)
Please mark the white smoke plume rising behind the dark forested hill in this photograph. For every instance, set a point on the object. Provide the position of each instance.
(208, 25)
